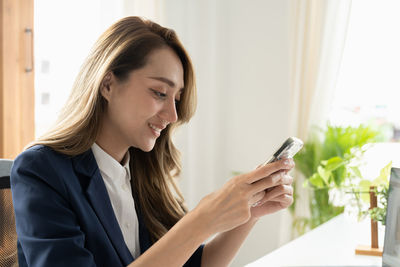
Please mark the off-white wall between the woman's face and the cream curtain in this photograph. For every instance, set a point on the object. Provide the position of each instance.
(240, 52)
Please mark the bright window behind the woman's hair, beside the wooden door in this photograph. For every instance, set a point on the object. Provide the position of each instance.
(65, 32)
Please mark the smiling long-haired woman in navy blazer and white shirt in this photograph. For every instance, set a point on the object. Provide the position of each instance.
(98, 189)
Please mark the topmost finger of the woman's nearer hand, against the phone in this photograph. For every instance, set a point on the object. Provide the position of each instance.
(268, 169)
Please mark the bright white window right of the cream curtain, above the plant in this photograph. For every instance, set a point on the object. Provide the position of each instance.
(368, 86)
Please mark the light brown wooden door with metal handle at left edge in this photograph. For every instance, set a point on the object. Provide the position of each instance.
(16, 76)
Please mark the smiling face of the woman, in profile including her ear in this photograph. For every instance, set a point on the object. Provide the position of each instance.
(140, 107)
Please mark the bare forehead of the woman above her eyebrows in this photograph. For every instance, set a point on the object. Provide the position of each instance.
(166, 64)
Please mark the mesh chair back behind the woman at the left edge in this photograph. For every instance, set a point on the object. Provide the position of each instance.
(8, 234)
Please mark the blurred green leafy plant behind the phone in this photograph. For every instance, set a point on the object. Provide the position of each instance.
(328, 161)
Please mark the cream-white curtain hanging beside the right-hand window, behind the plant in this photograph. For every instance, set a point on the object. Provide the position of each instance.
(318, 32)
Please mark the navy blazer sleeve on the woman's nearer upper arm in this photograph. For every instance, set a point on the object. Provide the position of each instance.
(47, 228)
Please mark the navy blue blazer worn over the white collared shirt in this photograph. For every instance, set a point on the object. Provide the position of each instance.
(64, 215)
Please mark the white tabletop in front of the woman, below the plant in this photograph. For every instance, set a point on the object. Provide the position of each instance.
(330, 244)
